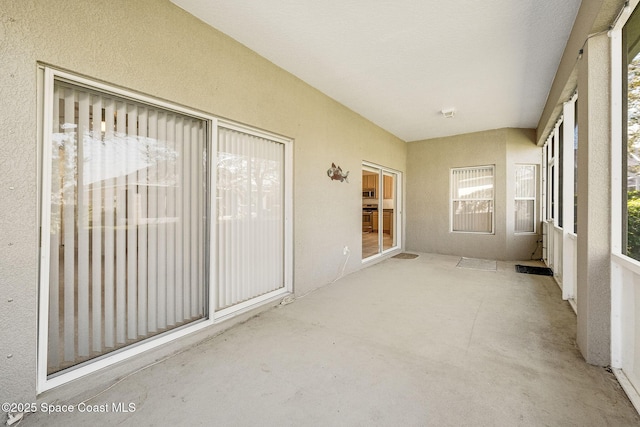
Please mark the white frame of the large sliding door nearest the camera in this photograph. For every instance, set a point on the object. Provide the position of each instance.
(46, 76)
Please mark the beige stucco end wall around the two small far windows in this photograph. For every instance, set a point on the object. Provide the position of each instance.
(428, 208)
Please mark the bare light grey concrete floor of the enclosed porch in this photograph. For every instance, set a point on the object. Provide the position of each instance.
(405, 342)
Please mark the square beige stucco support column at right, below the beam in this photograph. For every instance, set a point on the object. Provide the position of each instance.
(594, 202)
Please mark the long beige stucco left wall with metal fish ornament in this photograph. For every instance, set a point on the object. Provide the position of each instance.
(153, 47)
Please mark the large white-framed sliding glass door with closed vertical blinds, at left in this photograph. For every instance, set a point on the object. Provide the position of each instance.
(157, 221)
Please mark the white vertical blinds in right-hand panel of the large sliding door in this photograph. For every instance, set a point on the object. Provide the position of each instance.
(250, 204)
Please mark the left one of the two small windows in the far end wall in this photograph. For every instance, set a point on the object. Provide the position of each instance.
(472, 199)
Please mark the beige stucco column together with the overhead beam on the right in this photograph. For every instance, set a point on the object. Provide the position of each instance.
(590, 75)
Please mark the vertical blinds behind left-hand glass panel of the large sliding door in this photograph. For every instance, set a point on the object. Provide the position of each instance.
(128, 211)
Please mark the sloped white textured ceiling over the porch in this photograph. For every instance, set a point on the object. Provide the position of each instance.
(400, 62)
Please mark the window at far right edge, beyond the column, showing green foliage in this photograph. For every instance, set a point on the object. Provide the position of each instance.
(631, 137)
